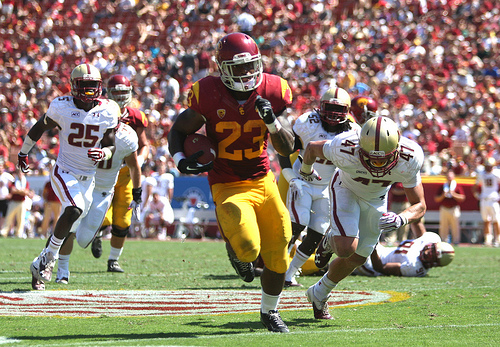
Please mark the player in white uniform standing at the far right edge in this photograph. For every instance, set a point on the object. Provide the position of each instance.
(488, 182)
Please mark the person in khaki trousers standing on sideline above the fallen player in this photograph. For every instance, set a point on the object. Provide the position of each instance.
(449, 196)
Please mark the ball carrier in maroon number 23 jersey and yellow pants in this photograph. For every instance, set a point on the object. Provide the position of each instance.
(241, 109)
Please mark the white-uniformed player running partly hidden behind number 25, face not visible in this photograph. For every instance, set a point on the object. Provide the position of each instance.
(85, 229)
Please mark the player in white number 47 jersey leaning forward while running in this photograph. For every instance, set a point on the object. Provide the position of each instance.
(368, 163)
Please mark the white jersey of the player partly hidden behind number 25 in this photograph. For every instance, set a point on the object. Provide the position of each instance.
(126, 143)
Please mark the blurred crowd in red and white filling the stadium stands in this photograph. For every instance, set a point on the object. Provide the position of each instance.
(432, 65)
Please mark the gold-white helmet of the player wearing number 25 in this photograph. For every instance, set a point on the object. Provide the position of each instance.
(86, 83)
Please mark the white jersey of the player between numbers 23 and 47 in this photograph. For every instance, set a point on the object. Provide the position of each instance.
(308, 127)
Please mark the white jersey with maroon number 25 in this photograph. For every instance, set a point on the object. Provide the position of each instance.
(80, 130)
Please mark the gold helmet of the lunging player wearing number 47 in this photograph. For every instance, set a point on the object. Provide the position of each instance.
(379, 145)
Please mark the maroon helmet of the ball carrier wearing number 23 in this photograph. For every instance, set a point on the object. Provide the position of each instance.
(239, 61)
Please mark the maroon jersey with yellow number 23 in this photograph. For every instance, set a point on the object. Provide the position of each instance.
(238, 130)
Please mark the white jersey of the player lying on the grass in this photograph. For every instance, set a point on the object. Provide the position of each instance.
(407, 254)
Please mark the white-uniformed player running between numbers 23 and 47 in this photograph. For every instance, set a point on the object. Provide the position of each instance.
(308, 202)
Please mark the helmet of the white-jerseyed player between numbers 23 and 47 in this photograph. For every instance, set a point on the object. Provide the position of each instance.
(334, 106)
